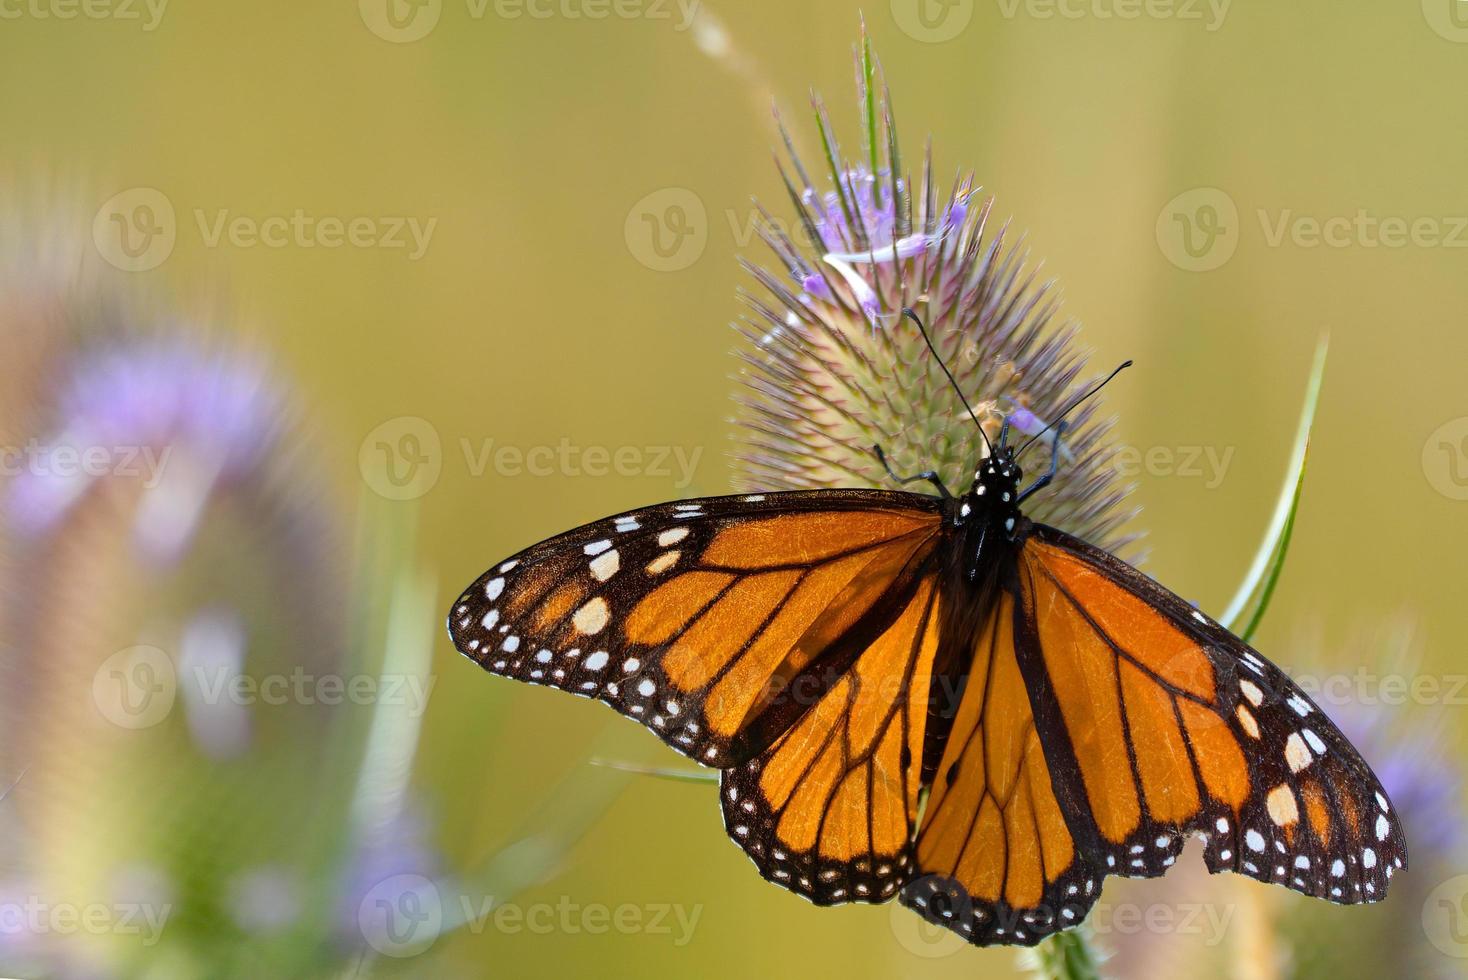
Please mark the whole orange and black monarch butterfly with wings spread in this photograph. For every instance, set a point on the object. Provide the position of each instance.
(936, 698)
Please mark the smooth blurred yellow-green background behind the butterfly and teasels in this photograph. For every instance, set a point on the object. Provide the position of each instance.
(1166, 167)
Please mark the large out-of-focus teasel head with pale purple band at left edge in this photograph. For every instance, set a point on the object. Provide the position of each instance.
(170, 551)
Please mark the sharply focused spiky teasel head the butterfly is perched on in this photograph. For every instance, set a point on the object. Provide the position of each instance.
(832, 369)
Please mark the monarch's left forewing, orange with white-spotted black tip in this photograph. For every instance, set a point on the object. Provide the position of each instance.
(714, 623)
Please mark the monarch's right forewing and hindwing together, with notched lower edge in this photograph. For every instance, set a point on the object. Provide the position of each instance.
(1156, 724)
